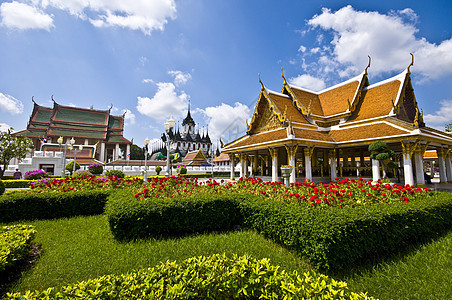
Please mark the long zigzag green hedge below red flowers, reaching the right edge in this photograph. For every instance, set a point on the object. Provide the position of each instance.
(331, 238)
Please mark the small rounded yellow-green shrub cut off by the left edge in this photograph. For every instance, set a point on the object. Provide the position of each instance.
(14, 243)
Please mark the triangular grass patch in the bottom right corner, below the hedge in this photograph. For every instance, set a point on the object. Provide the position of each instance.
(424, 273)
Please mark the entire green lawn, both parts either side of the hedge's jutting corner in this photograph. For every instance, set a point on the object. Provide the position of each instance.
(80, 248)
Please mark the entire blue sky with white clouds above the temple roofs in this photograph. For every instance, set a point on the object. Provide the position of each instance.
(152, 57)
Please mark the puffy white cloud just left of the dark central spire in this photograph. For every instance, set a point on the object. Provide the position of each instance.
(165, 103)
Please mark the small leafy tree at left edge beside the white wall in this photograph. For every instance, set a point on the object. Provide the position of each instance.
(12, 147)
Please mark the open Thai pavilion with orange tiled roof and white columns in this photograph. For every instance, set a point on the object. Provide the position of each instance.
(328, 133)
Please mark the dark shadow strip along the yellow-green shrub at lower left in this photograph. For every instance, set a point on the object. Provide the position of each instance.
(11, 275)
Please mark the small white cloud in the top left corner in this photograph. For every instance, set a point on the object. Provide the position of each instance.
(21, 16)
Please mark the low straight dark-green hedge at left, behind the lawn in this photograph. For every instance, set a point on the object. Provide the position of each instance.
(30, 206)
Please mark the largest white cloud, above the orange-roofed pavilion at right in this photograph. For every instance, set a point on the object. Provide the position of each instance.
(387, 38)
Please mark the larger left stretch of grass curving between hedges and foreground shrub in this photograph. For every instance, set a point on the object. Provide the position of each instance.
(83, 247)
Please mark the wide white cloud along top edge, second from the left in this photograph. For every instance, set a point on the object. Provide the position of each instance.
(144, 15)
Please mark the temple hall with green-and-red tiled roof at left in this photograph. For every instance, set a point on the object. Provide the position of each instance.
(99, 132)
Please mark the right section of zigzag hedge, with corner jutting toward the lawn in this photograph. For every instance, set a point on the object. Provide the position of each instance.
(335, 238)
